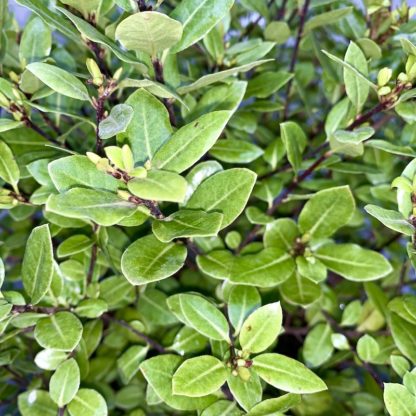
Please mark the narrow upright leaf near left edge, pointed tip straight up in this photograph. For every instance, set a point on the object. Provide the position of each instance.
(37, 266)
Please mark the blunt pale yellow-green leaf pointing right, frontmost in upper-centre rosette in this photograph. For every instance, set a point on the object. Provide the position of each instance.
(159, 185)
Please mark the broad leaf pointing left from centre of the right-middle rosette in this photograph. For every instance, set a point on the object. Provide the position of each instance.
(270, 267)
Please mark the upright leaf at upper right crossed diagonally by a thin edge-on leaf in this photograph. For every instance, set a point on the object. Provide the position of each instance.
(356, 89)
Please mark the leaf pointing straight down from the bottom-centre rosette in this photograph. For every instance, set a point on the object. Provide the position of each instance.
(247, 393)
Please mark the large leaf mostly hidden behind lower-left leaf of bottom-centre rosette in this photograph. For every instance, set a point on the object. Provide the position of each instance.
(158, 371)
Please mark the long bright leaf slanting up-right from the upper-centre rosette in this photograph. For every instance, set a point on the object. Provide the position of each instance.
(187, 145)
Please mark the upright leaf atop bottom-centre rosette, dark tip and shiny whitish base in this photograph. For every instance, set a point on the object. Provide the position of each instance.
(242, 301)
